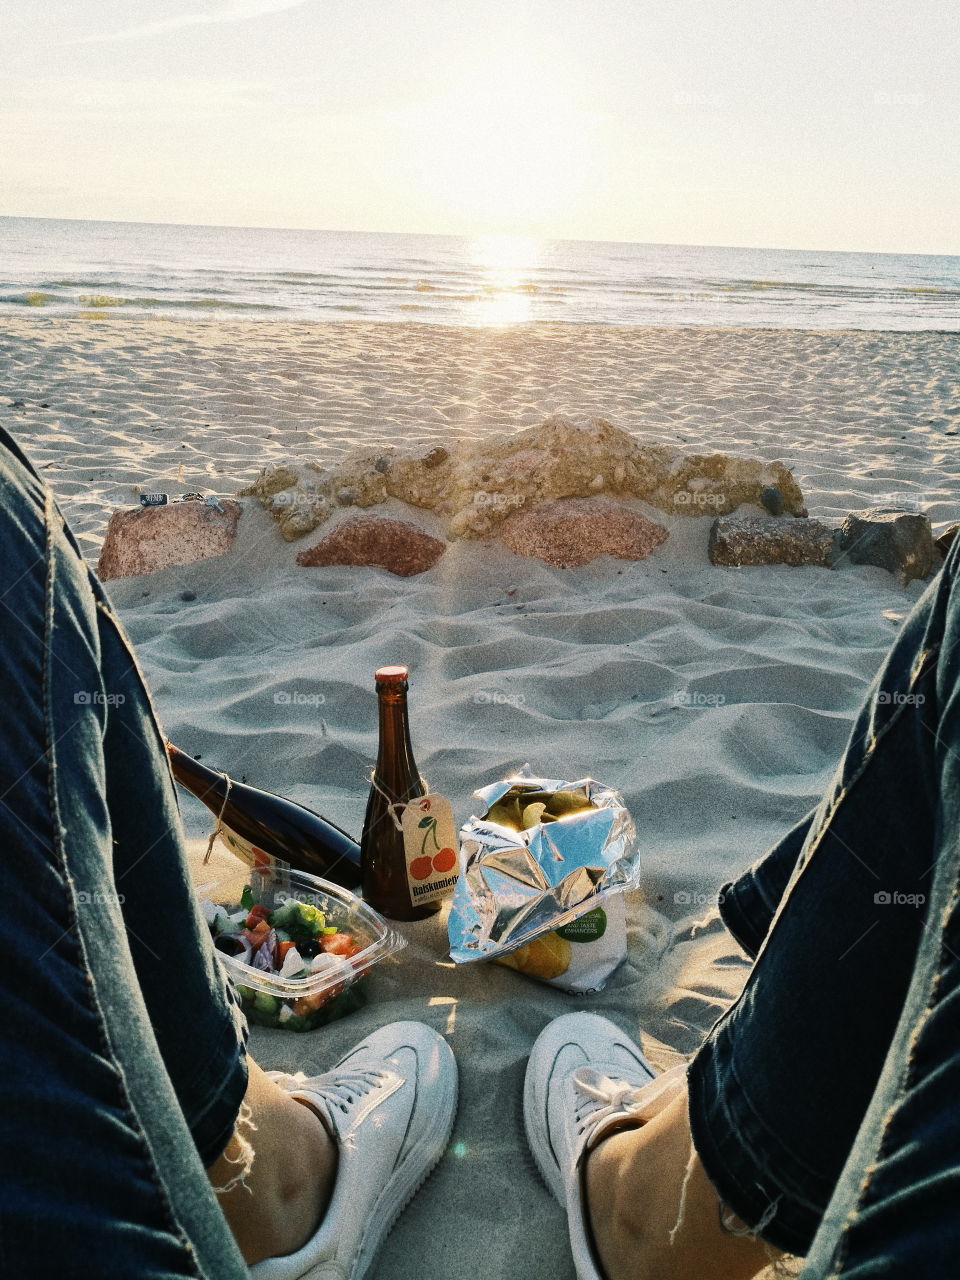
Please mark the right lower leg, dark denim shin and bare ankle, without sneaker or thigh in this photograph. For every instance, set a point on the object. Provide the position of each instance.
(779, 1091)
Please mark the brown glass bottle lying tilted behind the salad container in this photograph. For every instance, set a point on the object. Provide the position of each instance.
(255, 824)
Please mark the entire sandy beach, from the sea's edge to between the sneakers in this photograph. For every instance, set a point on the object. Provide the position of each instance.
(717, 701)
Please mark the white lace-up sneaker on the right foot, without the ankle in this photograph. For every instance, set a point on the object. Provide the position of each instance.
(584, 1078)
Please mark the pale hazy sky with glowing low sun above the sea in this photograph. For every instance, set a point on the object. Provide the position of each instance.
(822, 125)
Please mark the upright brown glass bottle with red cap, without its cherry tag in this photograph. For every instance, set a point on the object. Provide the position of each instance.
(396, 781)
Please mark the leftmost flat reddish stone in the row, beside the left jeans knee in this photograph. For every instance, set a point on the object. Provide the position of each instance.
(148, 540)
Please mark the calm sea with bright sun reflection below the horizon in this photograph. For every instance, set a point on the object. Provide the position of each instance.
(58, 267)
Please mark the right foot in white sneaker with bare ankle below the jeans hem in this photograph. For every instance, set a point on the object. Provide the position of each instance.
(612, 1146)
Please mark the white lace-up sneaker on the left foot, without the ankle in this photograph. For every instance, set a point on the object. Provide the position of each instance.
(391, 1104)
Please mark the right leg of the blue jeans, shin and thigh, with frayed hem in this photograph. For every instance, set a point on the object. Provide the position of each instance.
(824, 1104)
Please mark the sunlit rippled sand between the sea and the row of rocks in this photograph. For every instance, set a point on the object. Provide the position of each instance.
(860, 415)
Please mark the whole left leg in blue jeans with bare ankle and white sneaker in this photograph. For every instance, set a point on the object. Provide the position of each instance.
(124, 1052)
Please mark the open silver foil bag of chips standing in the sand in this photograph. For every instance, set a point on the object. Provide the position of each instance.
(542, 881)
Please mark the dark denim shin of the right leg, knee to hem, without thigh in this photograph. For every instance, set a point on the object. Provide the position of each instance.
(780, 1089)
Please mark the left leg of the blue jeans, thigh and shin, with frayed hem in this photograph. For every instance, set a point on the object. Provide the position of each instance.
(122, 1052)
